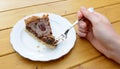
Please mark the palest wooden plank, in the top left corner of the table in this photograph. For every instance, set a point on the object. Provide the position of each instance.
(13, 4)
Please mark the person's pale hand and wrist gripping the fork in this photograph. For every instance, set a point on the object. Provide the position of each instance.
(97, 29)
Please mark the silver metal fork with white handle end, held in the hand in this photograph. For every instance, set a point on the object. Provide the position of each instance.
(63, 36)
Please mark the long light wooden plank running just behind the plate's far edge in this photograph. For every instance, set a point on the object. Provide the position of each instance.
(9, 18)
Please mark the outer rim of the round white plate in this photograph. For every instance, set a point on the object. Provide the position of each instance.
(11, 41)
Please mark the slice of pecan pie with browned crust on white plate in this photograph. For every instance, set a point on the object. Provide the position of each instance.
(40, 28)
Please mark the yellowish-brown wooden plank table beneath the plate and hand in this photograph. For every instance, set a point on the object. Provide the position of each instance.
(82, 56)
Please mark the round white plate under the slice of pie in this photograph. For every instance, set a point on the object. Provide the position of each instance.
(30, 48)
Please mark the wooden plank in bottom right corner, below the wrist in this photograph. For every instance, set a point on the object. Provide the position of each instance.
(99, 63)
